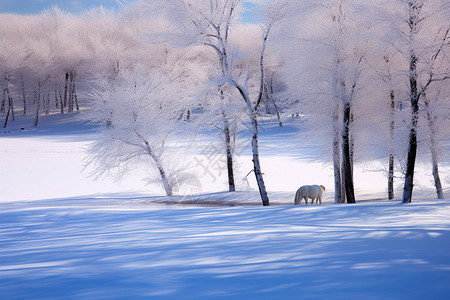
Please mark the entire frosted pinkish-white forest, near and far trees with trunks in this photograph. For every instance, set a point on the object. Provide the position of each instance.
(369, 80)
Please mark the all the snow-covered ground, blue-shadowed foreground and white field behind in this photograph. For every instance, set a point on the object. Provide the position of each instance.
(64, 235)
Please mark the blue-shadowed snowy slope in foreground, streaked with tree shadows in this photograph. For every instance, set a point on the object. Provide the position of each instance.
(109, 249)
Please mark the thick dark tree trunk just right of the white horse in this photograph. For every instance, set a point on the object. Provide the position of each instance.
(346, 156)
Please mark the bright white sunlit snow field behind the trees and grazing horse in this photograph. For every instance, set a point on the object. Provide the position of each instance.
(45, 164)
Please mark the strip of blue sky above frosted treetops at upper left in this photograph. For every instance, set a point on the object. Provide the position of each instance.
(36, 6)
